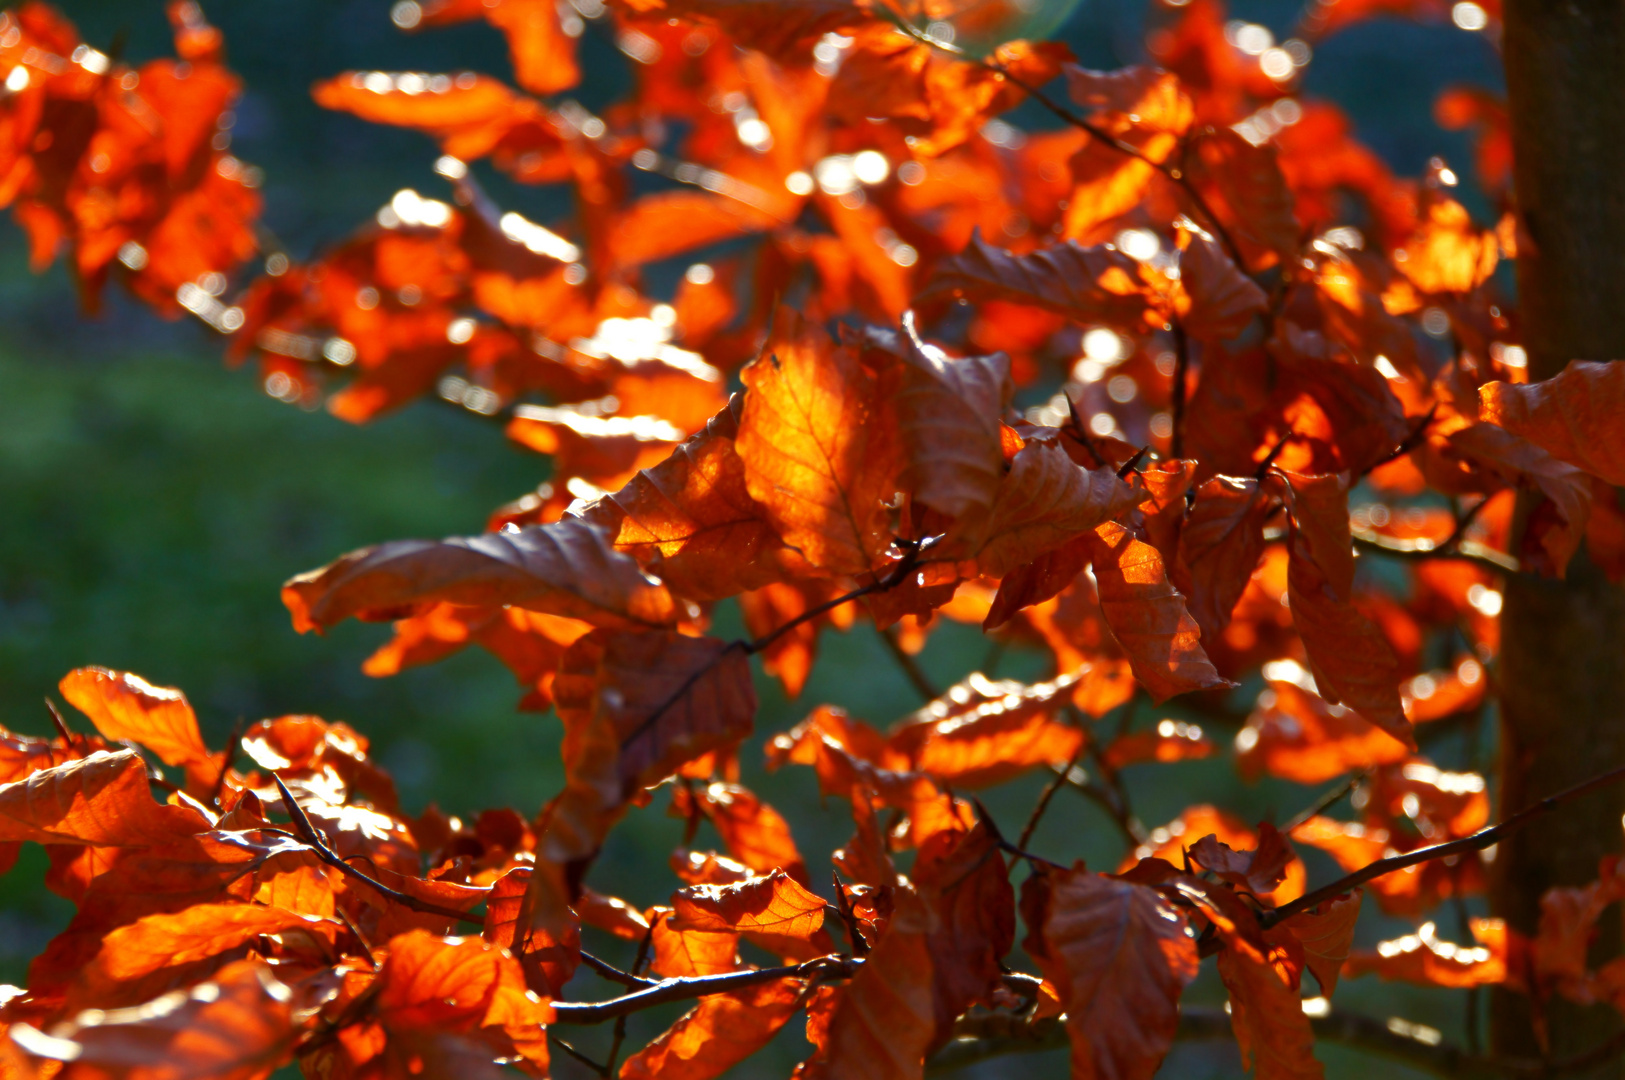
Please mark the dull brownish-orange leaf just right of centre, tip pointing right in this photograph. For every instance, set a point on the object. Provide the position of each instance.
(1047, 501)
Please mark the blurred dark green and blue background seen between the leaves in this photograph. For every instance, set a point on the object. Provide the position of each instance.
(152, 501)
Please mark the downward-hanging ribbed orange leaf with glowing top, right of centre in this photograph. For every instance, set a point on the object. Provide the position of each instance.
(1148, 616)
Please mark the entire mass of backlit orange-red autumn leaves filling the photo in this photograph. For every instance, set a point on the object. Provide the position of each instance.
(1252, 322)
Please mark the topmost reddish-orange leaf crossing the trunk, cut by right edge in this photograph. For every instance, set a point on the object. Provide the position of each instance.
(1574, 417)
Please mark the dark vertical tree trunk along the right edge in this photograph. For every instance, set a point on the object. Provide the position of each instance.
(1564, 642)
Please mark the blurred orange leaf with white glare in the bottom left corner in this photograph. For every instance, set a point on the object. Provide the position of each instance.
(235, 1027)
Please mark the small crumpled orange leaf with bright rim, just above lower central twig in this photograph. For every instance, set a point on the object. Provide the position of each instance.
(771, 912)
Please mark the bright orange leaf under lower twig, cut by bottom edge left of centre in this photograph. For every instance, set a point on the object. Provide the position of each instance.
(717, 1034)
